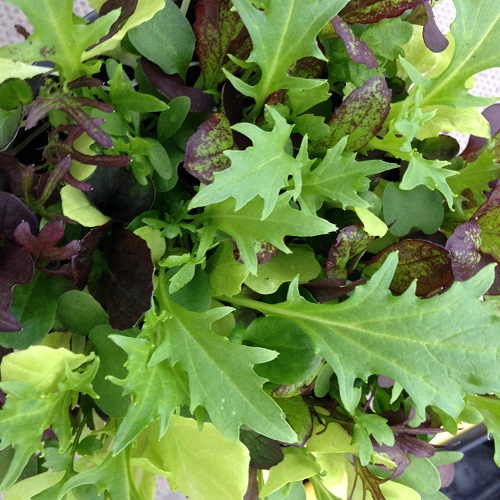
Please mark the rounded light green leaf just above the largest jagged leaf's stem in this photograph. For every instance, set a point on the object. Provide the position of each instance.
(283, 268)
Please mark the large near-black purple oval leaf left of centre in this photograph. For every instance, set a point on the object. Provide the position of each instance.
(126, 286)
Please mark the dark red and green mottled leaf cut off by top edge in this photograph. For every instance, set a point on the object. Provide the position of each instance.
(373, 11)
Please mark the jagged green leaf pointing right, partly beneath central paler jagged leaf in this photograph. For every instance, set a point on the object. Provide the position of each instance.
(246, 227)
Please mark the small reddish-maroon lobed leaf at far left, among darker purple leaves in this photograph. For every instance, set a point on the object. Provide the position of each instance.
(43, 246)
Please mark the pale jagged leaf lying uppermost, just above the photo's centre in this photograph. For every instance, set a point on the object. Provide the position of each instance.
(262, 170)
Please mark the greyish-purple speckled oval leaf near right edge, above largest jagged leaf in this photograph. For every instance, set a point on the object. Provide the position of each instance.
(463, 246)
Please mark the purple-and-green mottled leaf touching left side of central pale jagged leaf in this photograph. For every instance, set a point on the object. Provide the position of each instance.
(204, 149)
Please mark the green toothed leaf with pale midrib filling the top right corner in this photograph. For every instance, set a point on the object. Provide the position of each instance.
(476, 31)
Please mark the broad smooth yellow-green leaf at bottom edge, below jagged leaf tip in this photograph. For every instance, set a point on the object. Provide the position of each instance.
(202, 463)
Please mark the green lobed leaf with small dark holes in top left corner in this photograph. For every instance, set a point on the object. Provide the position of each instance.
(66, 40)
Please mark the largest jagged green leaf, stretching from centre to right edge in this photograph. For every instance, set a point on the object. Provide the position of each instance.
(438, 349)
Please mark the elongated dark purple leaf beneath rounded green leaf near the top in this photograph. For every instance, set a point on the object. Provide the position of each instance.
(172, 86)
